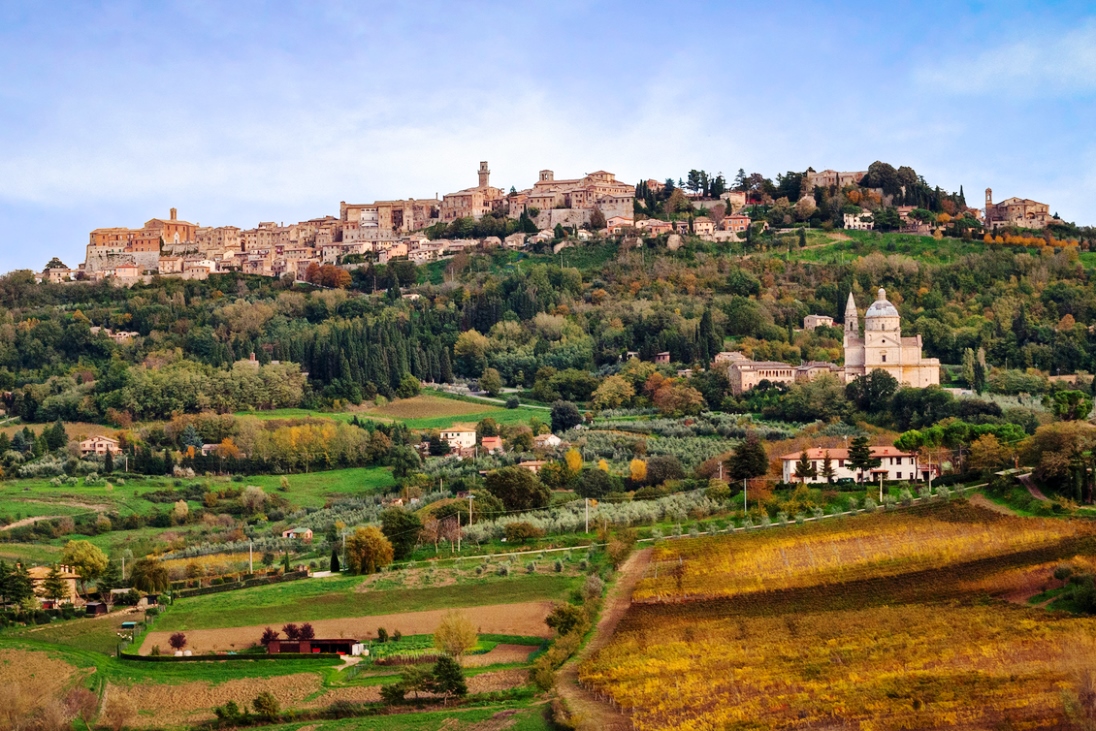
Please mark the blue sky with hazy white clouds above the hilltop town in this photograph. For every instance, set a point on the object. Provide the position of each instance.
(237, 112)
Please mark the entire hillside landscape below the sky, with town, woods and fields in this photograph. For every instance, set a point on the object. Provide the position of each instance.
(527, 460)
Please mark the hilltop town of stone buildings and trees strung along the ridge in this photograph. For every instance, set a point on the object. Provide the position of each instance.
(597, 204)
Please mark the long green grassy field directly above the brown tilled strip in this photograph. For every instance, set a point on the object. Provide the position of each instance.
(335, 598)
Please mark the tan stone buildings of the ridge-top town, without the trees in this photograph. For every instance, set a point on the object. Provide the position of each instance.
(386, 231)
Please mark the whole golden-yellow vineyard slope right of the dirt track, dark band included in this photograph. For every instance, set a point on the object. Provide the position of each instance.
(880, 644)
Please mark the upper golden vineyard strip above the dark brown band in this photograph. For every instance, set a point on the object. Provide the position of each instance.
(857, 549)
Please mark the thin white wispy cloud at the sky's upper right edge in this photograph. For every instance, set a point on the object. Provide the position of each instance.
(1041, 66)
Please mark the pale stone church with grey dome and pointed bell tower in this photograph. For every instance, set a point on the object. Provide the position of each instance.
(883, 347)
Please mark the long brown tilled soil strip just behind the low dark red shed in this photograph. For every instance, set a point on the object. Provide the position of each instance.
(527, 620)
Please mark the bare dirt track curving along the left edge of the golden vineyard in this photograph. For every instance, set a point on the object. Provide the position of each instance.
(595, 713)
